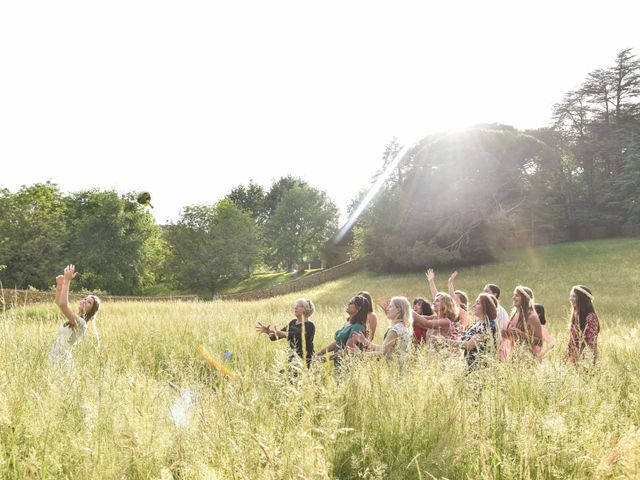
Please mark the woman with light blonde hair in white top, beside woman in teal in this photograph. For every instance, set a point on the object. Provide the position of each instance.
(398, 336)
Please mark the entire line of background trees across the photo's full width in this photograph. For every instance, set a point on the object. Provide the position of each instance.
(452, 198)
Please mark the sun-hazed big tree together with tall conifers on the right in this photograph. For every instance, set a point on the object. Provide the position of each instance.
(464, 197)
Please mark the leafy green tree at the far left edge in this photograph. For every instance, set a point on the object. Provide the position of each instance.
(32, 235)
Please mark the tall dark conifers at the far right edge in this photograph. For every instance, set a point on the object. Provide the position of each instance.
(597, 125)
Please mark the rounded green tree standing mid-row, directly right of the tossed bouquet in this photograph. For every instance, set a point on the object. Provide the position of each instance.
(212, 245)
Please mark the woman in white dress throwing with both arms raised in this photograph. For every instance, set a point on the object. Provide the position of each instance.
(76, 325)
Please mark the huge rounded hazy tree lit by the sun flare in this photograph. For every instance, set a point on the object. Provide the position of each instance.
(461, 198)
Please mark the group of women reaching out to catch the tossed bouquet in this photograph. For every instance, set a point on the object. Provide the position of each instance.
(445, 322)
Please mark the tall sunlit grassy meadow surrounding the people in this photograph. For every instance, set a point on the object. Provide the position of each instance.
(110, 416)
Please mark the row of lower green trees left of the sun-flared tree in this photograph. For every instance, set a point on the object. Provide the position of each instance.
(118, 247)
